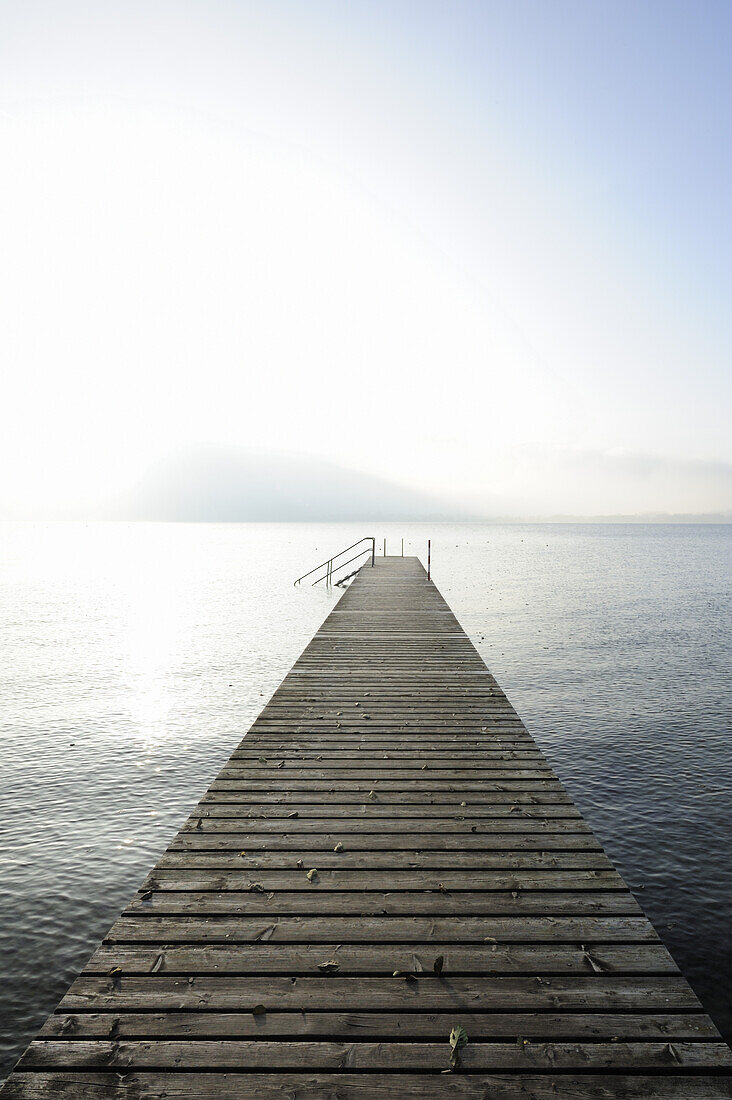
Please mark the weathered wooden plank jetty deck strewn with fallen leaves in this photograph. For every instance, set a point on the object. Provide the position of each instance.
(387, 859)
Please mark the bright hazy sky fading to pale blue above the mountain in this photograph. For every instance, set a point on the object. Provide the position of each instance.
(479, 248)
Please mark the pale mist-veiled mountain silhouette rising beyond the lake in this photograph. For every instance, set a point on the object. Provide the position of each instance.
(223, 485)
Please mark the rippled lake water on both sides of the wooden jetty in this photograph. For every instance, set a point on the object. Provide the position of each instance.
(135, 658)
